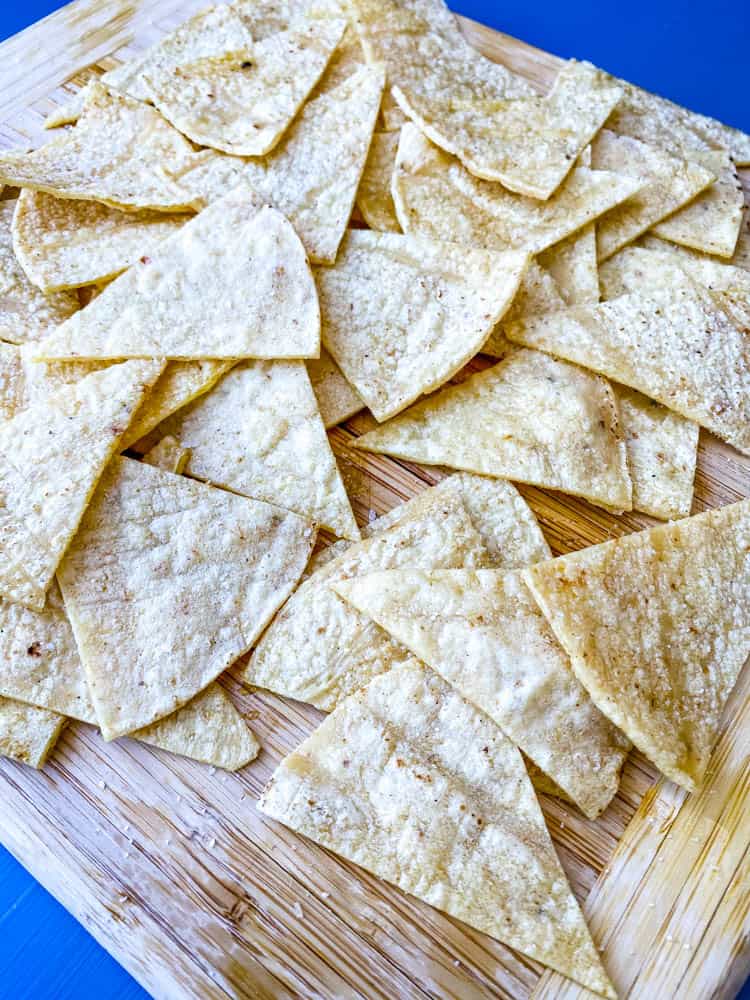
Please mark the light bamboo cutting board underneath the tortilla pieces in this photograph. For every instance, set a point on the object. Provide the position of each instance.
(171, 868)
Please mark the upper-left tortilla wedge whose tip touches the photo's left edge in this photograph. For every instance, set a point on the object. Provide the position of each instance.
(117, 154)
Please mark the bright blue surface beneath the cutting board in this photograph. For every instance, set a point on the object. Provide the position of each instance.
(695, 53)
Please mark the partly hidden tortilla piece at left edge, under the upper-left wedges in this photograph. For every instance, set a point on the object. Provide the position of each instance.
(25, 312)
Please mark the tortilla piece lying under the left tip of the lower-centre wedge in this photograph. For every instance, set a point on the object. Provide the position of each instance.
(319, 649)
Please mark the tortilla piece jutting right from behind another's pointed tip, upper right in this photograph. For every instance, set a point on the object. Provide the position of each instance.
(668, 183)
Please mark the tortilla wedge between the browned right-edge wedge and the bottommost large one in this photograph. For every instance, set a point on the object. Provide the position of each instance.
(482, 631)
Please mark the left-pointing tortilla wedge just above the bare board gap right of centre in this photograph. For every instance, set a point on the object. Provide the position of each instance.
(529, 418)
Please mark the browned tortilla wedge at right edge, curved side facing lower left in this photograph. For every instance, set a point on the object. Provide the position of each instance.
(657, 626)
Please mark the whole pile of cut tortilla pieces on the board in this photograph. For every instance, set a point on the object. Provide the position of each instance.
(185, 277)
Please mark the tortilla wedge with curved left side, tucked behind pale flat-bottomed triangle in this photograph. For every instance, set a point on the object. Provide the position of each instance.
(62, 244)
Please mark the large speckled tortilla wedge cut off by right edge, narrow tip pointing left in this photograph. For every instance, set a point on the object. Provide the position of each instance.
(674, 344)
